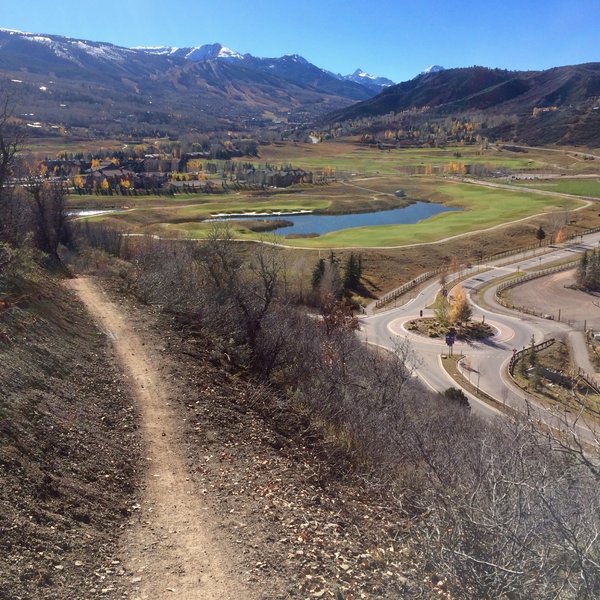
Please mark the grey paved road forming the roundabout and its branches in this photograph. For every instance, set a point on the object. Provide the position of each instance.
(488, 358)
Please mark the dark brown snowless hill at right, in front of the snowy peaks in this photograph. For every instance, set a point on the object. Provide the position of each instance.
(559, 105)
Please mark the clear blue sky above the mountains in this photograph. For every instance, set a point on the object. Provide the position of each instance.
(394, 38)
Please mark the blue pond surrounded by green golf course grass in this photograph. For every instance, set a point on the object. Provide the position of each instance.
(304, 224)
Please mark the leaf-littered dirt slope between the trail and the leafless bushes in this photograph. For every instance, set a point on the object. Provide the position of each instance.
(299, 525)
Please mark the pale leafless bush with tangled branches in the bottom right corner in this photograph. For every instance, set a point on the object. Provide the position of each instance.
(517, 521)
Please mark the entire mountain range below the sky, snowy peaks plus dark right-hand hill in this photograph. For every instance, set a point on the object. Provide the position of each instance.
(68, 83)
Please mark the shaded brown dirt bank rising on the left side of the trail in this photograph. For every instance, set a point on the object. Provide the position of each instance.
(69, 452)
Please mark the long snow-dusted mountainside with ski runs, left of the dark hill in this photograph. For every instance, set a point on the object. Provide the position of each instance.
(103, 87)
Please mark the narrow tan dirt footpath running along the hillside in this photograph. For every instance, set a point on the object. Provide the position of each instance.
(172, 551)
